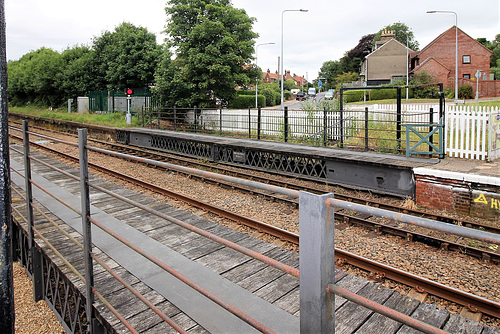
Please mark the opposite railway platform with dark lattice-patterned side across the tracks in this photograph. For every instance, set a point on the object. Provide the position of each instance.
(377, 172)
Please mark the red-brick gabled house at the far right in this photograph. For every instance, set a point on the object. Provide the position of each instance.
(438, 59)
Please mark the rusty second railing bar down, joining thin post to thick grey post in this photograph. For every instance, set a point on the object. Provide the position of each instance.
(265, 259)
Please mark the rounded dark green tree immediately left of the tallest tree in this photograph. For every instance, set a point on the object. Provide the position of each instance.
(127, 57)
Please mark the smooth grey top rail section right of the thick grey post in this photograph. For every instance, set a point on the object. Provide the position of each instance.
(418, 221)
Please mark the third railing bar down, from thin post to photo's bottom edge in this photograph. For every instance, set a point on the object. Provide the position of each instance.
(246, 318)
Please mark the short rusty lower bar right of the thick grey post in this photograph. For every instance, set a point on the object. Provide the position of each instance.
(384, 310)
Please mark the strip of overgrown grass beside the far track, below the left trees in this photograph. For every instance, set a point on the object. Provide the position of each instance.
(115, 119)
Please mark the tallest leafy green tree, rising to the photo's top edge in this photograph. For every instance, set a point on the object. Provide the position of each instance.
(213, 44)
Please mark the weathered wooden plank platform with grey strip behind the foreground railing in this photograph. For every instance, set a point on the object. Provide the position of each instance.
(267, 295)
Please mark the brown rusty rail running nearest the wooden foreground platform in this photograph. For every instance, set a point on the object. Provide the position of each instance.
(377, 269)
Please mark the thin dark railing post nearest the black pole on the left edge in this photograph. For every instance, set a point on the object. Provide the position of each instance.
(36, 256)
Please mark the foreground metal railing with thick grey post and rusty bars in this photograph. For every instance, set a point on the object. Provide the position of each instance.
(317, 259)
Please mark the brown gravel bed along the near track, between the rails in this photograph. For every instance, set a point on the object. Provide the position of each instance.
(450, 268)
